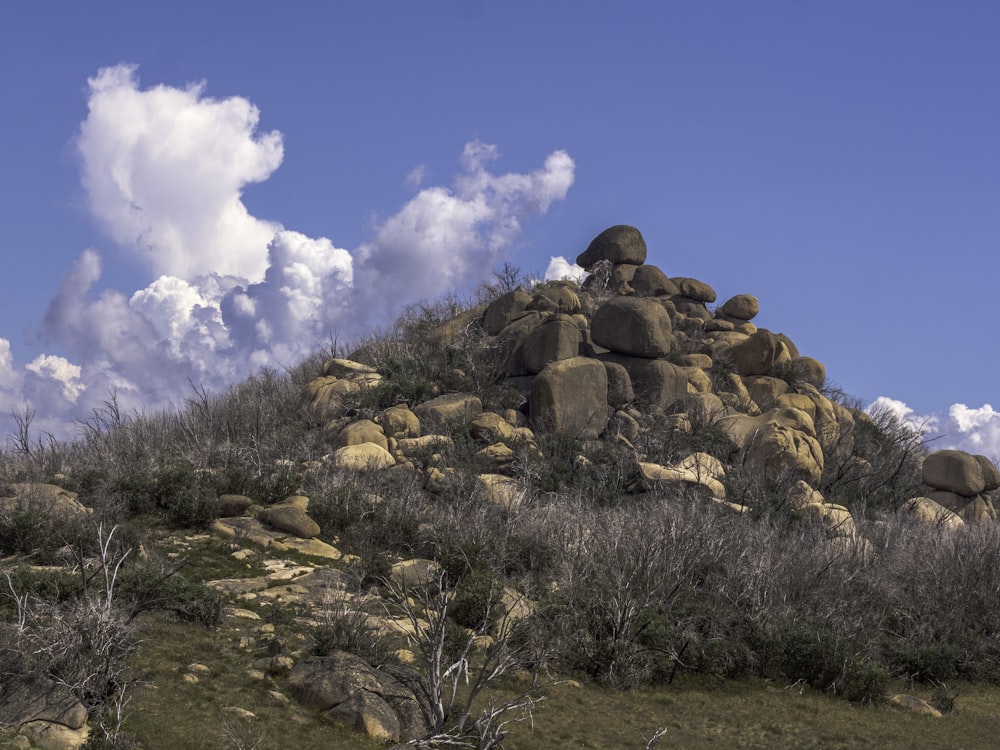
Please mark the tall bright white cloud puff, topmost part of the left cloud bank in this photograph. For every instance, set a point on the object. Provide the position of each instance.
(164, 169)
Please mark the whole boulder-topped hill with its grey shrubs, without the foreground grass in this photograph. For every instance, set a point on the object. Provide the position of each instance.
(619, 480)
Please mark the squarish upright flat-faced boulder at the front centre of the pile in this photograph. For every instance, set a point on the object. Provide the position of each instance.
(570, 396)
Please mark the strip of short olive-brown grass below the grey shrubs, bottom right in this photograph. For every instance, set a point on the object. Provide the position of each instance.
(749, 714)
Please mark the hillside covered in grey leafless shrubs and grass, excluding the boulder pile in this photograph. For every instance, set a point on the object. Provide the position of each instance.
(647, 607)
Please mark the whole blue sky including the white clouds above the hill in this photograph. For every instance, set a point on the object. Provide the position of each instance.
(839, 160)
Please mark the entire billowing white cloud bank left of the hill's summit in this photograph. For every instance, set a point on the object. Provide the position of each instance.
(164, 169)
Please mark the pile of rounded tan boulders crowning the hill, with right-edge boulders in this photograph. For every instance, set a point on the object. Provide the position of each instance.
(632, 345)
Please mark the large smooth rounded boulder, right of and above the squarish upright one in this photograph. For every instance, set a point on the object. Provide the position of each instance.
(636, 326)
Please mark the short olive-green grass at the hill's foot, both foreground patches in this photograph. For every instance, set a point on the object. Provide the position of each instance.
(697, 713)
